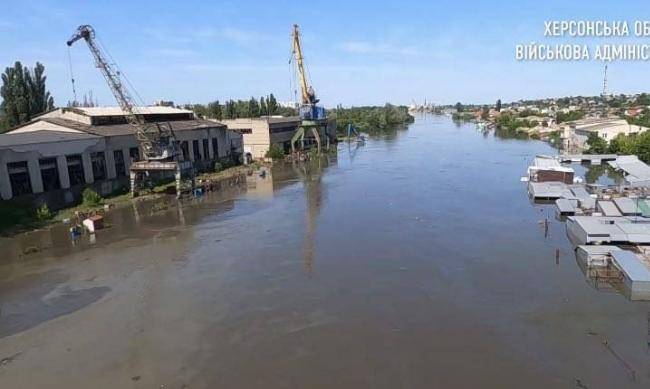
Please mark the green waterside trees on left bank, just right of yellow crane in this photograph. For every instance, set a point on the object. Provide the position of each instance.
(371, 119)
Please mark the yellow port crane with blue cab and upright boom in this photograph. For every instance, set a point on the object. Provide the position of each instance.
(313, 117)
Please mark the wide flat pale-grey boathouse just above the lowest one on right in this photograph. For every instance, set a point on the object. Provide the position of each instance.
(608, 230)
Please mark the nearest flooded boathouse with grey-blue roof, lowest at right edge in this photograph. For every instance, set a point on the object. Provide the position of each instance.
(635, 272)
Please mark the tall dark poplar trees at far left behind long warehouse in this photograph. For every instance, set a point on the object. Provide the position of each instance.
(24, 95)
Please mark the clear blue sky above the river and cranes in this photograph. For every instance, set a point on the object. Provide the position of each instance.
(357, 52)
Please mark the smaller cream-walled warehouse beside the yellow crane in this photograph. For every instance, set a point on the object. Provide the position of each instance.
(259, 134)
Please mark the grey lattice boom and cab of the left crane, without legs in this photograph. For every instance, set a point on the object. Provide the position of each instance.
(157, 142)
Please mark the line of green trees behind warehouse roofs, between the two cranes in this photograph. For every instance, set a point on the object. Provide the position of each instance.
(233, 109)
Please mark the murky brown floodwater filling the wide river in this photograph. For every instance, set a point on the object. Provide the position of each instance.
(415, 261)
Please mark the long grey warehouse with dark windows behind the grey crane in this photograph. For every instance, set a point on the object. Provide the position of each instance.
(57, 154)
